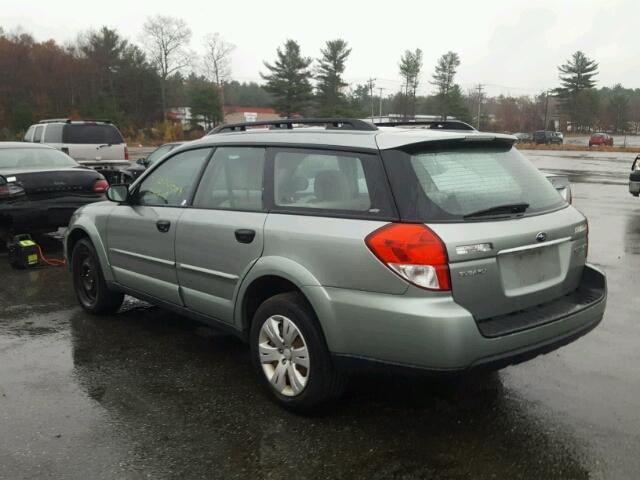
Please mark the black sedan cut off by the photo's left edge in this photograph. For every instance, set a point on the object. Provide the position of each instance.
(41, 187)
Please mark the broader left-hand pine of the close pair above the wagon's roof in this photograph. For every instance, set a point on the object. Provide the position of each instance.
(288, 80)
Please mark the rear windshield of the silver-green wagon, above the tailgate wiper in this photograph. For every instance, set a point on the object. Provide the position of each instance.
(449, 183)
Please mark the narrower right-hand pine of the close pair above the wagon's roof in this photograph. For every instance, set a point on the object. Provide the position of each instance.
(331, 98)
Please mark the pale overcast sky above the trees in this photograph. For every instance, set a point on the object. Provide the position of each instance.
(512, 47)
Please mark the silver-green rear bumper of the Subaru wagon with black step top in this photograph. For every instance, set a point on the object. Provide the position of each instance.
(437, 335)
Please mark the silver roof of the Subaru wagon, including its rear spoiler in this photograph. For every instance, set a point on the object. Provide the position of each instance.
(383, 138)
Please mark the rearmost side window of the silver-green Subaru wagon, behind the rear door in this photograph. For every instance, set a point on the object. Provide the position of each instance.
(329, 181)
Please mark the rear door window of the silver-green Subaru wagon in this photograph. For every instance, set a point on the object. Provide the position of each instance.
(233, 180)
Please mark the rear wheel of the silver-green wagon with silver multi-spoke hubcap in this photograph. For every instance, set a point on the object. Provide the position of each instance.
(290, 355)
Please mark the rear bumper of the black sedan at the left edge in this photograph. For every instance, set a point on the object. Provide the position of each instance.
(42, 215)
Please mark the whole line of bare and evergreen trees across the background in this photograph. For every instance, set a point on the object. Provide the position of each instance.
(104, 75)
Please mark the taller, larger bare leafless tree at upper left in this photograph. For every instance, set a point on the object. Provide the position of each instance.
(166, 40)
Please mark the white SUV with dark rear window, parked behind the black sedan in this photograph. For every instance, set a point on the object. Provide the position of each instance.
(82, 140)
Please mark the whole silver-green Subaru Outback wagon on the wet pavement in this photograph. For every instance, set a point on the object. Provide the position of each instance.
(341, 246)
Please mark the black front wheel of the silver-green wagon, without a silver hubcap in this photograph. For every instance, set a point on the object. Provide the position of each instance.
(88, 281)
